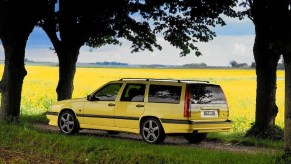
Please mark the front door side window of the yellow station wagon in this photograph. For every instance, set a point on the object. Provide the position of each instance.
(107, 93)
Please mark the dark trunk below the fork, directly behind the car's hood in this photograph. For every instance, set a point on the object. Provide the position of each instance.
(67, 68)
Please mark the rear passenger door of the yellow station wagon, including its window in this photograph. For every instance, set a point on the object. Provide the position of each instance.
(130, 106)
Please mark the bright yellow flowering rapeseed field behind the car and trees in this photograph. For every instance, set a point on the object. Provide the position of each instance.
(239, 87)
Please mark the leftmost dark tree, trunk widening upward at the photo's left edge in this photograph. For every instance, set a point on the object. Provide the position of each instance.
(17, 20)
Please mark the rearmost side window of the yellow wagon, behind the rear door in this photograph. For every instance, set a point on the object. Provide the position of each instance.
(164, 94)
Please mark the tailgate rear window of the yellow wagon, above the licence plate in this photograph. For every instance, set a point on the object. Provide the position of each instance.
(206, 94)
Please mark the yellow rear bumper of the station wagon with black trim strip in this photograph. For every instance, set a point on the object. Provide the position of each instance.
(189, 126)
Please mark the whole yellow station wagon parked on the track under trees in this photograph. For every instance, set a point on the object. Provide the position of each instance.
(153, 108)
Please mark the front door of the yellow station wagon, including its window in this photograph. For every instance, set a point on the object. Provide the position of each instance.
(99, 109)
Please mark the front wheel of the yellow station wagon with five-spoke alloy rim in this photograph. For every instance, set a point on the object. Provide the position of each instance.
(68, 123)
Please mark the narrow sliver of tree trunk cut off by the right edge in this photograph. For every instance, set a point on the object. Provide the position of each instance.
(287, 131)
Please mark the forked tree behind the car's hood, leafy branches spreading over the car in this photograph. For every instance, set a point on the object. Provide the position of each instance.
(89, 22)
